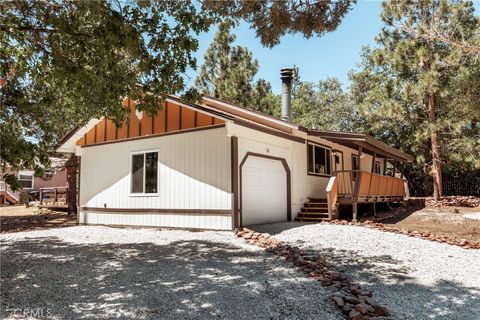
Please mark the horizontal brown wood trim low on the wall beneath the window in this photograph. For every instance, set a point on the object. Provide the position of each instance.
(204, 212)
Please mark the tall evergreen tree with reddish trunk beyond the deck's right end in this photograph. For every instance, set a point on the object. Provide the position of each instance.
(422, 91)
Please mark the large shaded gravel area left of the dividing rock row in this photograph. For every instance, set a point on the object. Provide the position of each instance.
(94, 272)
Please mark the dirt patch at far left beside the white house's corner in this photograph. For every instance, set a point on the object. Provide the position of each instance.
(21, 218)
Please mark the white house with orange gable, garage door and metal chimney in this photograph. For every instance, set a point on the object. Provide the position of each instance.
(214, 165)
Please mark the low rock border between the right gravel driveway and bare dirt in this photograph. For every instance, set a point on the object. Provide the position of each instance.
(466, 244)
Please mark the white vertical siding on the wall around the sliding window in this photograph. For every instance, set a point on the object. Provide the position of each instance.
(194, 173)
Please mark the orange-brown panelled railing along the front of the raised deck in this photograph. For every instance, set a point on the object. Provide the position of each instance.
(359, 184)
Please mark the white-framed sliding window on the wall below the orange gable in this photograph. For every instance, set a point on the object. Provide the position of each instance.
(145, 173)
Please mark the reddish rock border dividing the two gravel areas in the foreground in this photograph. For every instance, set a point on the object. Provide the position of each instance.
(353, 301)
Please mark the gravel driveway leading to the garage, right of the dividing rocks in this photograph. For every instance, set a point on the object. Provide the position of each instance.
(414, 278)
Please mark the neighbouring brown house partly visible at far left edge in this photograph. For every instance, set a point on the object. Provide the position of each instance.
(54, 180)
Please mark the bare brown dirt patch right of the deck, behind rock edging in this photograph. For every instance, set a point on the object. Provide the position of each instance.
(447, 221)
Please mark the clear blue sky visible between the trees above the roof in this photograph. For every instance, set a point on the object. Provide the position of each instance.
(332, 55)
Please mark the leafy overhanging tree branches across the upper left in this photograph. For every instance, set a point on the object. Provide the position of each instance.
(65, 62)
